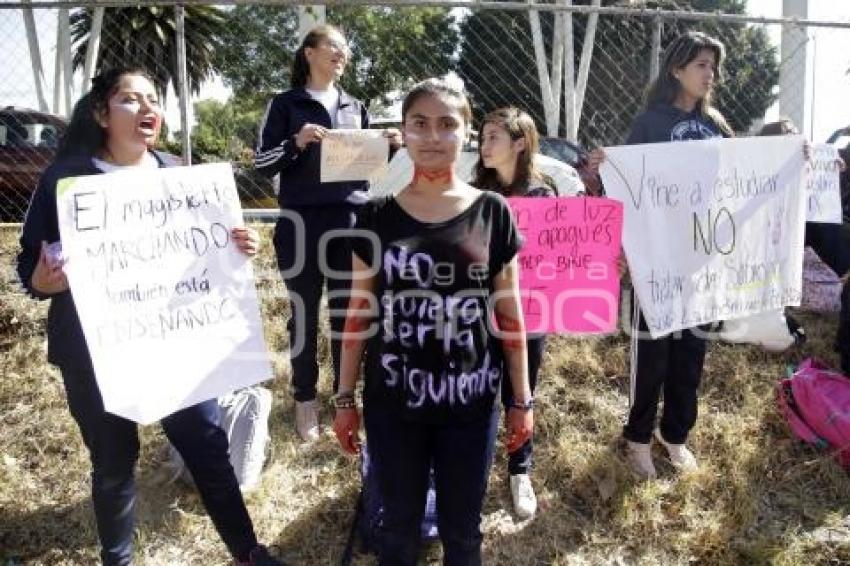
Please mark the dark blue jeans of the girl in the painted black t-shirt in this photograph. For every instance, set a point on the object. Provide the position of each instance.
(404, 451)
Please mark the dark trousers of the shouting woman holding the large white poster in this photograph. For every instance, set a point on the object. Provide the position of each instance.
(113, 445)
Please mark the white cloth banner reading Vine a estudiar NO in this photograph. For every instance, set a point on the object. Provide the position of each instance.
(713, 229)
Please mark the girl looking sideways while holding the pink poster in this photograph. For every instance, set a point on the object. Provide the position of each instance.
(508, 141)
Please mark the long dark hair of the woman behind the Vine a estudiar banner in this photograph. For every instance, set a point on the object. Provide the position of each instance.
(681, 51)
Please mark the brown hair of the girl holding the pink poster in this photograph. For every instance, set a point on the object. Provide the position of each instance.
(518, 125)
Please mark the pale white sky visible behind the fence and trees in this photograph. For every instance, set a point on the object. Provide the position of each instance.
(827, 106)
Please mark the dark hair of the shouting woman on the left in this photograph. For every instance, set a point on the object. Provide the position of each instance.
(85, 136)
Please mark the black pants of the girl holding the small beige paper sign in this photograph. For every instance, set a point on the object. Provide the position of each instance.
(298, 257)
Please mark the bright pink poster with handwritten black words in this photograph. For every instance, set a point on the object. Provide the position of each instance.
(568, 265)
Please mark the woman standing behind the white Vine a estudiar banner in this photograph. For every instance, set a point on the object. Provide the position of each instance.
(678, 108)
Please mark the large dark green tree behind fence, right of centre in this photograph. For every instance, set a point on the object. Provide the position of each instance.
(497, 62)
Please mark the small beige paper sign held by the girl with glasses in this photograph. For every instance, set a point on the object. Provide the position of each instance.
(353, 155)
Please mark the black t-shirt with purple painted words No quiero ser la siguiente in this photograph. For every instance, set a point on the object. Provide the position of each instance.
(433, 358)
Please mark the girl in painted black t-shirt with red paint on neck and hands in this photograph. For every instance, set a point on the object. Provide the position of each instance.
(438, 256)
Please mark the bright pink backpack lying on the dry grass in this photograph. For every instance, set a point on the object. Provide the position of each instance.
(816, 403)
